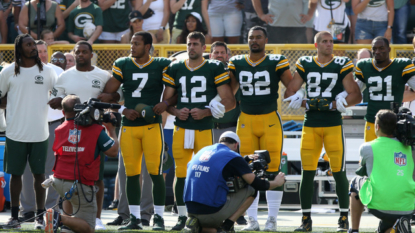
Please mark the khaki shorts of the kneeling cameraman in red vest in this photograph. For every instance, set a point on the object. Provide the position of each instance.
(87, 210)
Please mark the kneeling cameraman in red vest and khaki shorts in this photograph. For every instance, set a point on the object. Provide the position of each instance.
(77, 167)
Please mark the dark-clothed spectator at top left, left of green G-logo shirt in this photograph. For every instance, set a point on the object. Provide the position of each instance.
(53, 16)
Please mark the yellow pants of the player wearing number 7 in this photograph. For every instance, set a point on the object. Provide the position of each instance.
(136, 140)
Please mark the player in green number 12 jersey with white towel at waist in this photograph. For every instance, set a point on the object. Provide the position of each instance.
(196, 81)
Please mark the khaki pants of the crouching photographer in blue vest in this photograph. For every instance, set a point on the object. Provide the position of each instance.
(233, 202)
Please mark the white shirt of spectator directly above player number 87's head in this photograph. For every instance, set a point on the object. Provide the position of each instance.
(323, 15)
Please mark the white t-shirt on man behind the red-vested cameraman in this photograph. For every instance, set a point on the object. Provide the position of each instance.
(88, 84)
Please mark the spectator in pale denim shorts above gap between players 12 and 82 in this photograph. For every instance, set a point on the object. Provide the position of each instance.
(227, 18)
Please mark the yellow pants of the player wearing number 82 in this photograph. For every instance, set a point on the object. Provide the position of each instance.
(261, 132)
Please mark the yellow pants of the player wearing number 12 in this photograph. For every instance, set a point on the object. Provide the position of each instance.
(183, 156)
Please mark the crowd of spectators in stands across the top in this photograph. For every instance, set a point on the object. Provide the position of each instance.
(170, 21)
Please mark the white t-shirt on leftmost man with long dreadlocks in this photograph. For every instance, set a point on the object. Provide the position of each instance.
(27, 98)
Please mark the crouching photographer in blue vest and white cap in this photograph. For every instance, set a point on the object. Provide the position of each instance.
(206, 194)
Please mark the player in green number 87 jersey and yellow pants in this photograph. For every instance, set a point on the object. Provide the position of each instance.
(326, 77)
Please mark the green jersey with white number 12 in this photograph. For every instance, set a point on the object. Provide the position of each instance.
(196, 87)
